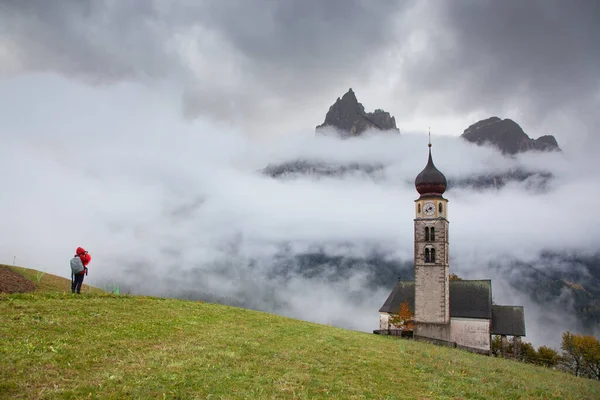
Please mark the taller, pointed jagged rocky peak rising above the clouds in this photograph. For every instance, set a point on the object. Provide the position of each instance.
(349, 118)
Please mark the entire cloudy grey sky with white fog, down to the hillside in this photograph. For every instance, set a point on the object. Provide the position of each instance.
(135, 129)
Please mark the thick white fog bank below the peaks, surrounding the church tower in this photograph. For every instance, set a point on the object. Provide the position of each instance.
(189, 214)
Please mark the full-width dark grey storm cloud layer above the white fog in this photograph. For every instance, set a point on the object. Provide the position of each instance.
(249, 61)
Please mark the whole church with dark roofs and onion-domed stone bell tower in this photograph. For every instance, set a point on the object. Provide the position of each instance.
(458, 313)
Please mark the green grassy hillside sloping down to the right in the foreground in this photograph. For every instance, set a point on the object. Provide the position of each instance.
(60, 345)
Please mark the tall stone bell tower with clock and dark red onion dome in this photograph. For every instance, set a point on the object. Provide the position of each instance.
(432, 297)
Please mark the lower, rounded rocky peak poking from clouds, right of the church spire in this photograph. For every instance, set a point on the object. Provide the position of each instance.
(508, 136)
